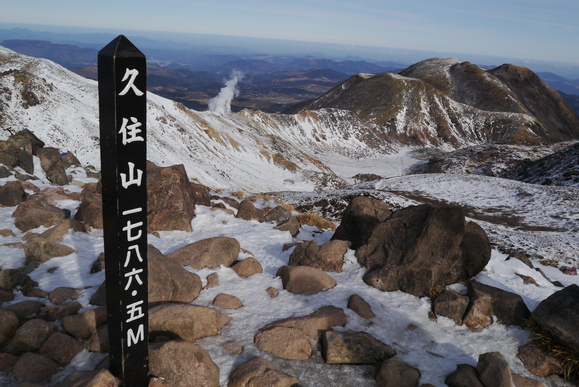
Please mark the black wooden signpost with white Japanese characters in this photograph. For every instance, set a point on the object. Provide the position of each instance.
(122, 110)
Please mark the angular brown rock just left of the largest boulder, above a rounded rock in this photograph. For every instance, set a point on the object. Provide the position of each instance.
(327, 257)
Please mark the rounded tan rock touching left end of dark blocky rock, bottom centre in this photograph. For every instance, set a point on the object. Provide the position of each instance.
(284, 342)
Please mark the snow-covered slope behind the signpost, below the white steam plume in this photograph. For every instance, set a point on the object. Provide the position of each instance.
(248, 150)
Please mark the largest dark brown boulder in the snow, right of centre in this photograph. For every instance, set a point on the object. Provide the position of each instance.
(420, 249)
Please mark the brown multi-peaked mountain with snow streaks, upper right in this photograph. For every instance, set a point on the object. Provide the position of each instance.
(445, 101)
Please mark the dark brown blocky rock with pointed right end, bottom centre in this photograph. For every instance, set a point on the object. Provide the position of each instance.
(354, 348)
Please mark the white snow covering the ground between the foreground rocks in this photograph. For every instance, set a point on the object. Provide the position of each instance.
(435, 348)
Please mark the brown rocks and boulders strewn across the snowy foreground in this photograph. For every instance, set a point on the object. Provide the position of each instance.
(418, 250)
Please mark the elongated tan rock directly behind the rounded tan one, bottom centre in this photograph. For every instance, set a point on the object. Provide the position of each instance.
(320, 320)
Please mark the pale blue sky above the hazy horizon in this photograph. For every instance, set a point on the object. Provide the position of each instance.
(531, 29)
